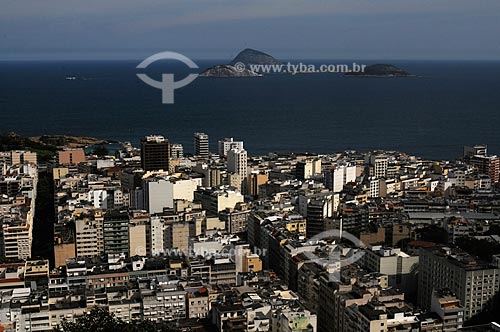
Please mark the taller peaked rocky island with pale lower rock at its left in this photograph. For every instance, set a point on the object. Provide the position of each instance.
(240, 65)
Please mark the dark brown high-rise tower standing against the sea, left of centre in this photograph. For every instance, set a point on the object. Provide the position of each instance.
(155, 153)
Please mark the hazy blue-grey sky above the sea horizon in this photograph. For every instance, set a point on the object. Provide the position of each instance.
(219, 29)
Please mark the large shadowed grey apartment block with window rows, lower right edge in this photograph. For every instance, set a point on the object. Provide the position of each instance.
(474, 283)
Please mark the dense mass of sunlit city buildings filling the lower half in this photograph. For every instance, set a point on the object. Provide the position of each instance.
(377, 241)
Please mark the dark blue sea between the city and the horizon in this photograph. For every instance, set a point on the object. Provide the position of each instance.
(449, 104)
